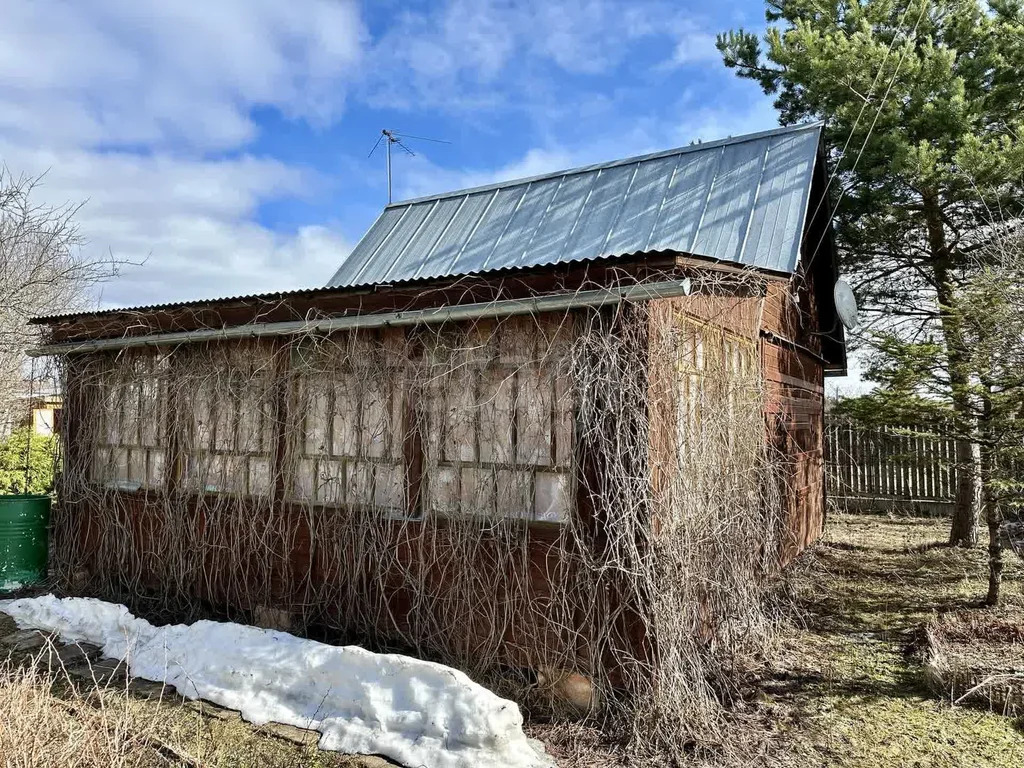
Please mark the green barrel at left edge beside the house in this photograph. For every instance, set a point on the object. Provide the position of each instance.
(24, 524)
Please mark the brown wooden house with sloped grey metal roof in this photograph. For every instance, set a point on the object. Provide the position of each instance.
(317, 457)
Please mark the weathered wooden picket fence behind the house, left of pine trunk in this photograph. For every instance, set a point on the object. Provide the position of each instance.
(888, 471)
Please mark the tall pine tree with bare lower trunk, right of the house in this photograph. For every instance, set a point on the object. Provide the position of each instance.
(924, 121)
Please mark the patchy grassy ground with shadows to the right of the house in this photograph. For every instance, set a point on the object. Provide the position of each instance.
(848, 687)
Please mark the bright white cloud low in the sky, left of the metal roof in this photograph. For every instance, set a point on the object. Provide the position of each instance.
(190, 221)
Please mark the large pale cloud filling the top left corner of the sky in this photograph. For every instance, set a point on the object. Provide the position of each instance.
(117, 72)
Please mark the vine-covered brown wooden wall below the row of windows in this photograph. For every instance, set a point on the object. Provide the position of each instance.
(407, 585)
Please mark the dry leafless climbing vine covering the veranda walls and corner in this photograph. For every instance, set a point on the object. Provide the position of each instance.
(580, 503)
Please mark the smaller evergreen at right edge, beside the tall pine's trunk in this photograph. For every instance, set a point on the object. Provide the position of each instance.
(914, 388)
